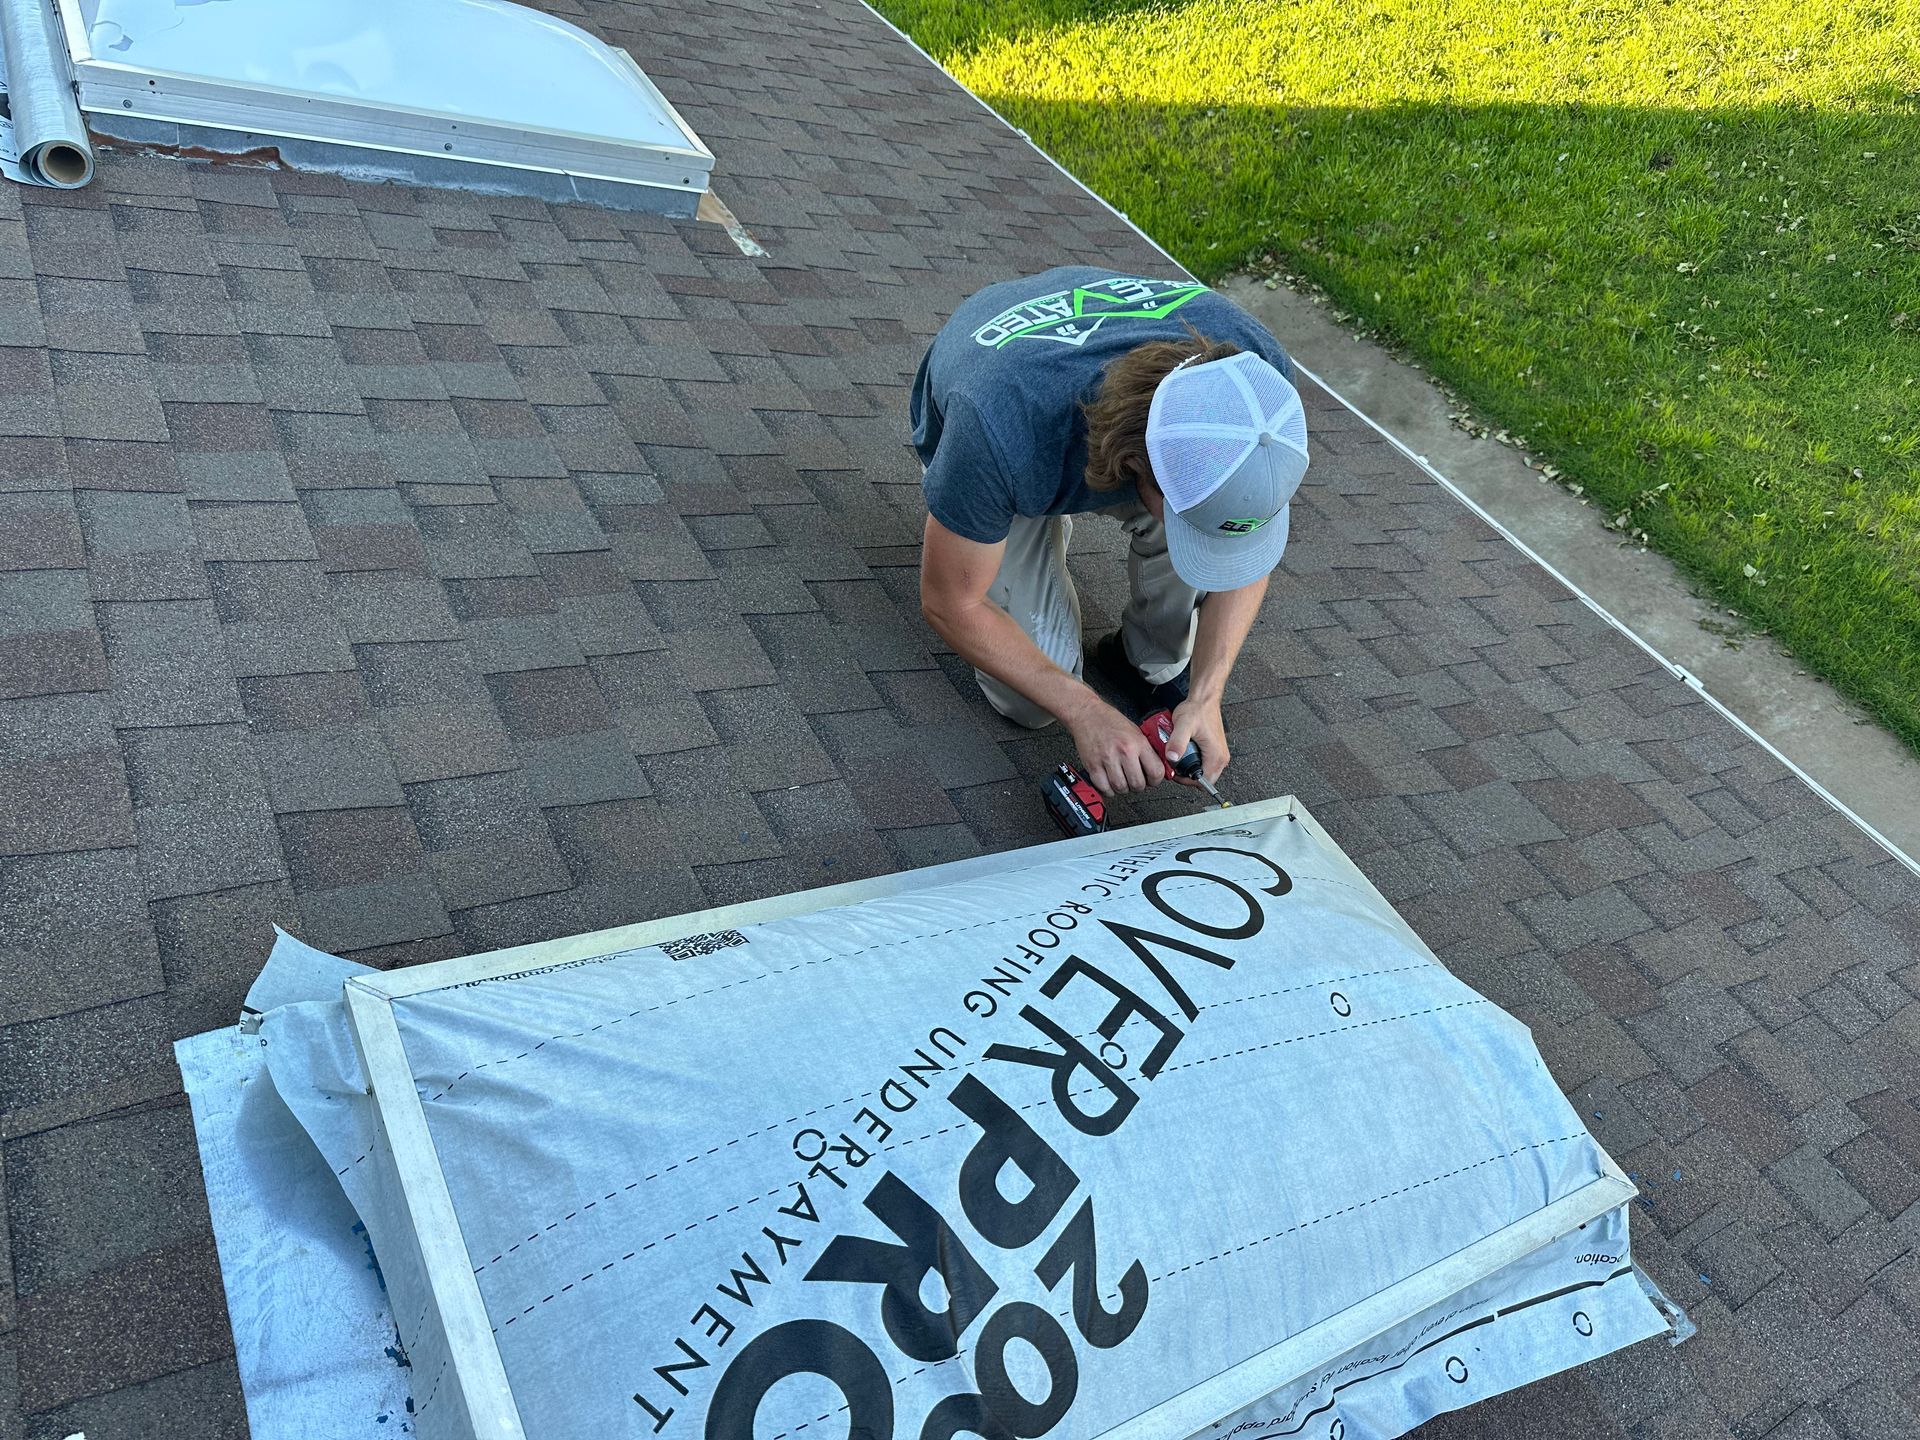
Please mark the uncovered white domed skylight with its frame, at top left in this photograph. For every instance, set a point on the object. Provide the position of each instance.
(395, 89)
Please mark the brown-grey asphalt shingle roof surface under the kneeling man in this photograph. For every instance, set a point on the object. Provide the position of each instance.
(433, 573)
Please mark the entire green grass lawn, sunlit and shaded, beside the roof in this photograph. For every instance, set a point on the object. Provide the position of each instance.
(1675, 247)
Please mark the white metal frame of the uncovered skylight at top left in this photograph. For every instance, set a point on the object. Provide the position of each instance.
(266, 112)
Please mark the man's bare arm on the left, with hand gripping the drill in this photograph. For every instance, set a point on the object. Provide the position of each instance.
(955, 577)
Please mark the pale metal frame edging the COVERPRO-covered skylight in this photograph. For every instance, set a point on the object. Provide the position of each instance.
(412, 1164)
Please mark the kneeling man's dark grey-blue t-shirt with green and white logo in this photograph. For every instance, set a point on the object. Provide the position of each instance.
(997, 402)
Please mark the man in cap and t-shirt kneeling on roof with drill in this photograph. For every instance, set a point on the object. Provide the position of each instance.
(1157, 402)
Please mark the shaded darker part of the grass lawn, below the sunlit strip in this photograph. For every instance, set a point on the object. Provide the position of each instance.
(1710, 320)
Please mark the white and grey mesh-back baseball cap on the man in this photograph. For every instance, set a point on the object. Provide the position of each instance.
(1230, 444)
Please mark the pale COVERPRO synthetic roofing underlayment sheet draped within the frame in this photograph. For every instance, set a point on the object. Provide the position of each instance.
(1178, 1138)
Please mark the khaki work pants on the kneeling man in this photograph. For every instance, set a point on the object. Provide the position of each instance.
(1034, 587)
